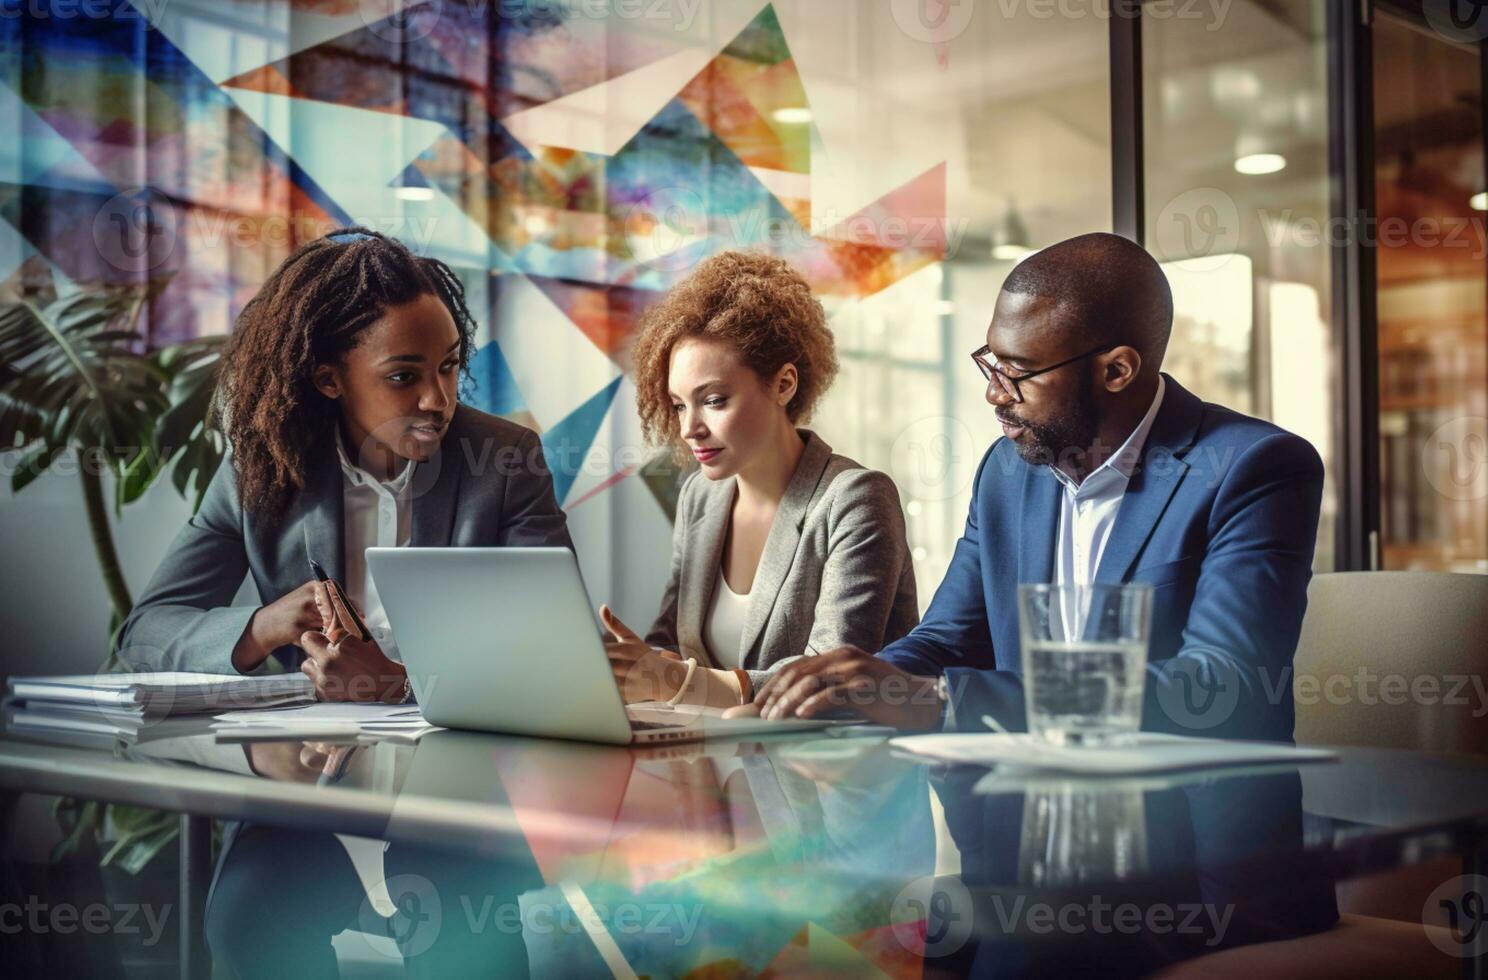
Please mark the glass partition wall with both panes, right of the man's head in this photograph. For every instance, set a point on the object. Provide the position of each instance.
(1246, 206)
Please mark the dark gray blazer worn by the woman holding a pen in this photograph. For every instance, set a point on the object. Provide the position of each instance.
(489, 486)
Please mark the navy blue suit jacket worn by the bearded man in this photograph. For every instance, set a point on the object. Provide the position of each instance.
(1219, 518)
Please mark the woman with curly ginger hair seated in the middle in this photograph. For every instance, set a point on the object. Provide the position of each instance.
(782, 548)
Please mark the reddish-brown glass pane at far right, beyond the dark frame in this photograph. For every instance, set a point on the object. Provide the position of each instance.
(1432, 257)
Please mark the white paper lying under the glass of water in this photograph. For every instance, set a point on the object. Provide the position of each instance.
(1147, 753)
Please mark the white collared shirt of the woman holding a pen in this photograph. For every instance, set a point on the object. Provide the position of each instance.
(376, 515)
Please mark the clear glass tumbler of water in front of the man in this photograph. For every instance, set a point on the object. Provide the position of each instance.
(1084, 660)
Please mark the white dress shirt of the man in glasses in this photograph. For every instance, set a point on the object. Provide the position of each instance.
(1088, 509)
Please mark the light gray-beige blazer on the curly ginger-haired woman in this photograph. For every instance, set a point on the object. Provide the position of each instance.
(836, 567)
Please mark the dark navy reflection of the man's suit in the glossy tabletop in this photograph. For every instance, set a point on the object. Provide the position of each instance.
(1121, 877)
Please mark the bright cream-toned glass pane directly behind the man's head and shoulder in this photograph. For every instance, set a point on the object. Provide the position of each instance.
(1237, 182)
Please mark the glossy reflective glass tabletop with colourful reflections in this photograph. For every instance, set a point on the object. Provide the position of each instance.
(755, 854)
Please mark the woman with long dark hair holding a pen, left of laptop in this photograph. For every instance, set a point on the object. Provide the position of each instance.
(339, 393)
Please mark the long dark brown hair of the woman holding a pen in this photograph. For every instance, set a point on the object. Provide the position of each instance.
(312, 312)
